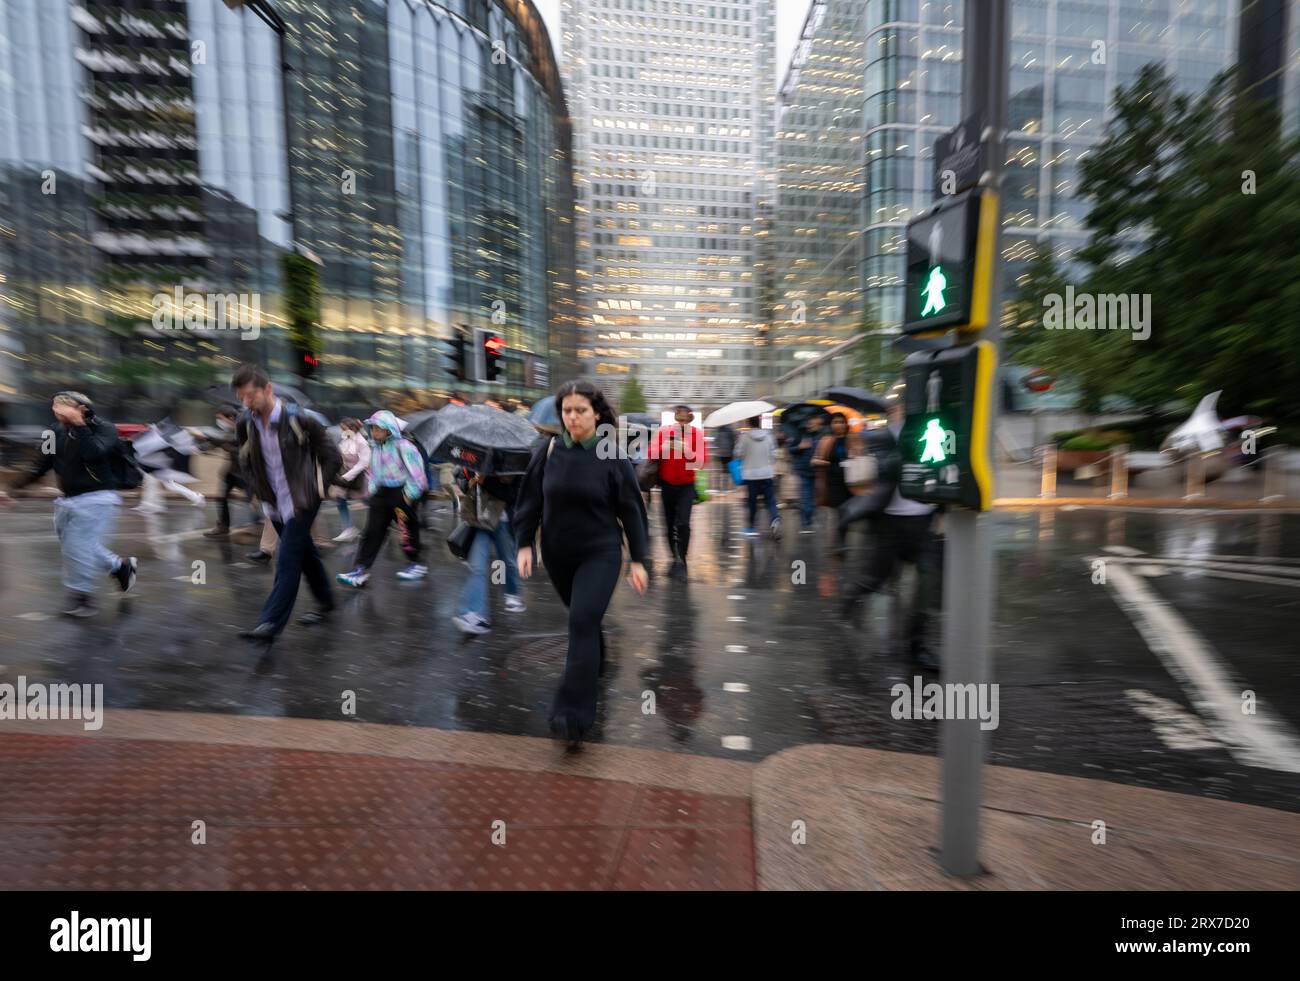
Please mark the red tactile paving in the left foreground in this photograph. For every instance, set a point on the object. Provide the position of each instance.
(83, 813)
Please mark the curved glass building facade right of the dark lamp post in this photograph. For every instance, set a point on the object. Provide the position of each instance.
(443, 198)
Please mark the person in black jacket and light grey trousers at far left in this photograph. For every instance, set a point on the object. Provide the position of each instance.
(90, 468)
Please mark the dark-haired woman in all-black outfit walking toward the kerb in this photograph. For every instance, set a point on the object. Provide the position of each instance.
(584, 505)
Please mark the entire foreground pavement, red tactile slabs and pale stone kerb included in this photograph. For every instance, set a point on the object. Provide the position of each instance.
(315, 805)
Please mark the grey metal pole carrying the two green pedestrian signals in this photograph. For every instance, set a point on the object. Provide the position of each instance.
(970, 575)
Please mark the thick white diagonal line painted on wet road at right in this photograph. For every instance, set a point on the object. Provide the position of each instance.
(1262, 740)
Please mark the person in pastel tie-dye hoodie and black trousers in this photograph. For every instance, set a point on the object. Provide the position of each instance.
(397, 484)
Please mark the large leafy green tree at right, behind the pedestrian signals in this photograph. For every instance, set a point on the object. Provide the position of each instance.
(1195, 205)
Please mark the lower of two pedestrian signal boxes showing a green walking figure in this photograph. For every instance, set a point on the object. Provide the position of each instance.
(944, 439)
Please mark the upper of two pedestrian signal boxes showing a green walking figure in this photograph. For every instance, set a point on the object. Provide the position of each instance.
(951, 264)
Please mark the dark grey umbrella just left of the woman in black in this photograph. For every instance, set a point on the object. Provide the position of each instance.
(486, 440)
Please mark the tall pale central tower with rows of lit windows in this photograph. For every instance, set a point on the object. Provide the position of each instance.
(673, 110)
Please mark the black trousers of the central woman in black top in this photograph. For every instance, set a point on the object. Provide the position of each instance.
(587, 585)
